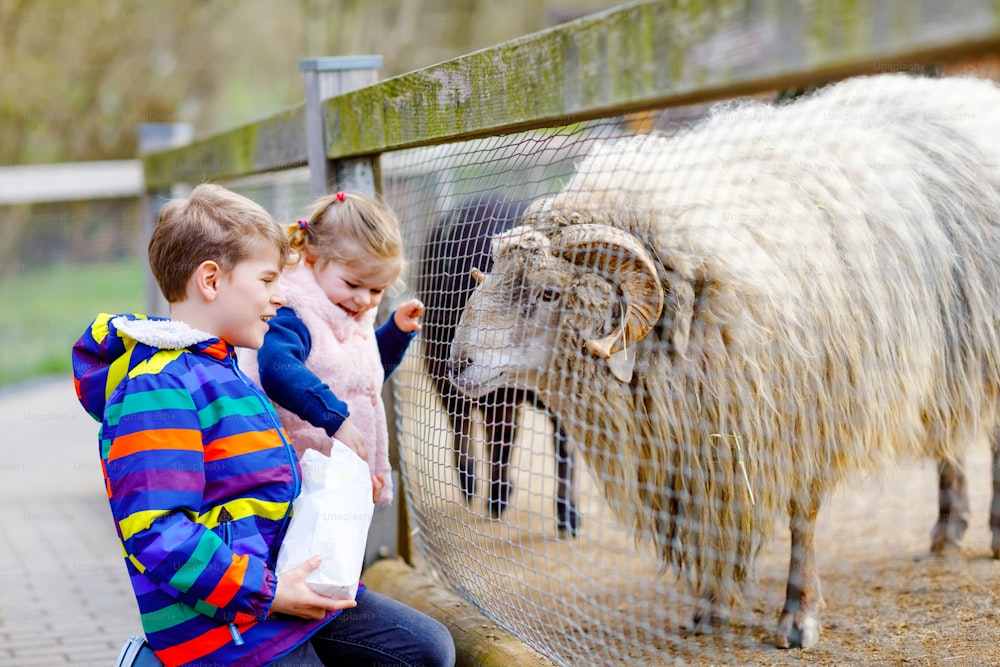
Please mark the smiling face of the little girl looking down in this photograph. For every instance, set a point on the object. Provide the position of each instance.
(355, 286)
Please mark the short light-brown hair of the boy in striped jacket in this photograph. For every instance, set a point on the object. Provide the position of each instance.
(212, 224)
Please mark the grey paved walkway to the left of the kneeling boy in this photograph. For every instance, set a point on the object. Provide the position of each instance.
(64, 594)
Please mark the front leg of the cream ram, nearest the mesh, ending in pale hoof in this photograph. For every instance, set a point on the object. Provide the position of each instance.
(798, 624)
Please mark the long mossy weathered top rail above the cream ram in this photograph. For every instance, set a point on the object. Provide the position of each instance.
(650, 54)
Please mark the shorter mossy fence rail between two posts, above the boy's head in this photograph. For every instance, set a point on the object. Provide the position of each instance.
(276, 142)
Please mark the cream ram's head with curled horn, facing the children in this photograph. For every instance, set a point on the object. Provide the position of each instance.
(552, 295)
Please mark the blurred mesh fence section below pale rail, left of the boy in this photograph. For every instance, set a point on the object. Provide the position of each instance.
(58, 261)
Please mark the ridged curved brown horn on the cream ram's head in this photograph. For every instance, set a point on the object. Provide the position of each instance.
(616, 252)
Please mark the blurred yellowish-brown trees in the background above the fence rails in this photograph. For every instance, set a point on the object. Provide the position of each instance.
(77, 77)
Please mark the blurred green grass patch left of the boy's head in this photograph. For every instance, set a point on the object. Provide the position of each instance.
(46, 310)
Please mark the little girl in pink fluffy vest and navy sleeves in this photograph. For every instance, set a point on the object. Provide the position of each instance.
(323, 363)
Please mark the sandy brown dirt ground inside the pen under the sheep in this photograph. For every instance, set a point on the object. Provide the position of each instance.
(600, 599)
